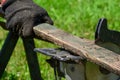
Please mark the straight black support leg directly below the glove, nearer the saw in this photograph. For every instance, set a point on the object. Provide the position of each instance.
(32, 59)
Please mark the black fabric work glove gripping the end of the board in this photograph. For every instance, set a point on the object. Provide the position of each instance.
(23, 15)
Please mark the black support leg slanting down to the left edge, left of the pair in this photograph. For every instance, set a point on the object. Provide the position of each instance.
(7, 50)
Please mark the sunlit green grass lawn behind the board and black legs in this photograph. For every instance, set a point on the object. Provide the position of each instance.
(78, 17)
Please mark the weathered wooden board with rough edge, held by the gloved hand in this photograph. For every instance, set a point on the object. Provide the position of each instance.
(82, 47)
